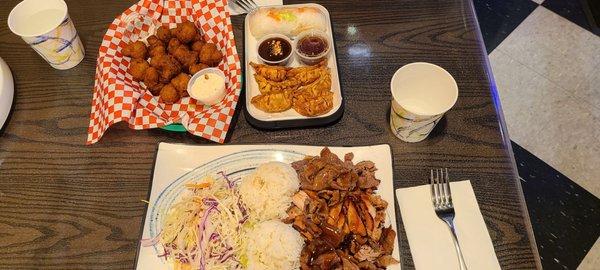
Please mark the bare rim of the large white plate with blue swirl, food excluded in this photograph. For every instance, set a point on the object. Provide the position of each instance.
(177, 164)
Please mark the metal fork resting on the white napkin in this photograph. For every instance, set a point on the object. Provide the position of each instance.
(442, 203)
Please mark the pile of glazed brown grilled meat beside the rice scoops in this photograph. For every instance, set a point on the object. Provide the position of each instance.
(339, 215)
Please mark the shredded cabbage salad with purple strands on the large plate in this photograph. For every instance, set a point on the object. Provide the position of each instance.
(205, 229)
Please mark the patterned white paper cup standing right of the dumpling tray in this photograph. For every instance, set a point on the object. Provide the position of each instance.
(421, 94)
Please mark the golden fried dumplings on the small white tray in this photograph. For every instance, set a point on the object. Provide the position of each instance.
(305, 89)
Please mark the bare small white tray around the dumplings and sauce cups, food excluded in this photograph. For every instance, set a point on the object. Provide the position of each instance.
(274, 120)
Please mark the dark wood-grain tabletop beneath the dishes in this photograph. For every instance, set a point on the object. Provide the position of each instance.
(65, 205)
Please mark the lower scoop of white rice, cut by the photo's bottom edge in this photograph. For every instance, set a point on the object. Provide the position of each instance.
(274, 245)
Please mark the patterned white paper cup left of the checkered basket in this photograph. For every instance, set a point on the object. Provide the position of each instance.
(45, 25)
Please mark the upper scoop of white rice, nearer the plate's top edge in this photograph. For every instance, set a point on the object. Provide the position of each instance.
(268, 191)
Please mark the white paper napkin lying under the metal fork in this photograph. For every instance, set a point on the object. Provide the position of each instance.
(430, 239)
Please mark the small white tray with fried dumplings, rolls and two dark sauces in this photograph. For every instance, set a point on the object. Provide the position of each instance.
(291, 69)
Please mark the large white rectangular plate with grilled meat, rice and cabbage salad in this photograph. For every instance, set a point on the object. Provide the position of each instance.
(270, 207)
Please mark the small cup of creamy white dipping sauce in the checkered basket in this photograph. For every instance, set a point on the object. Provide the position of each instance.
(208, 88)
